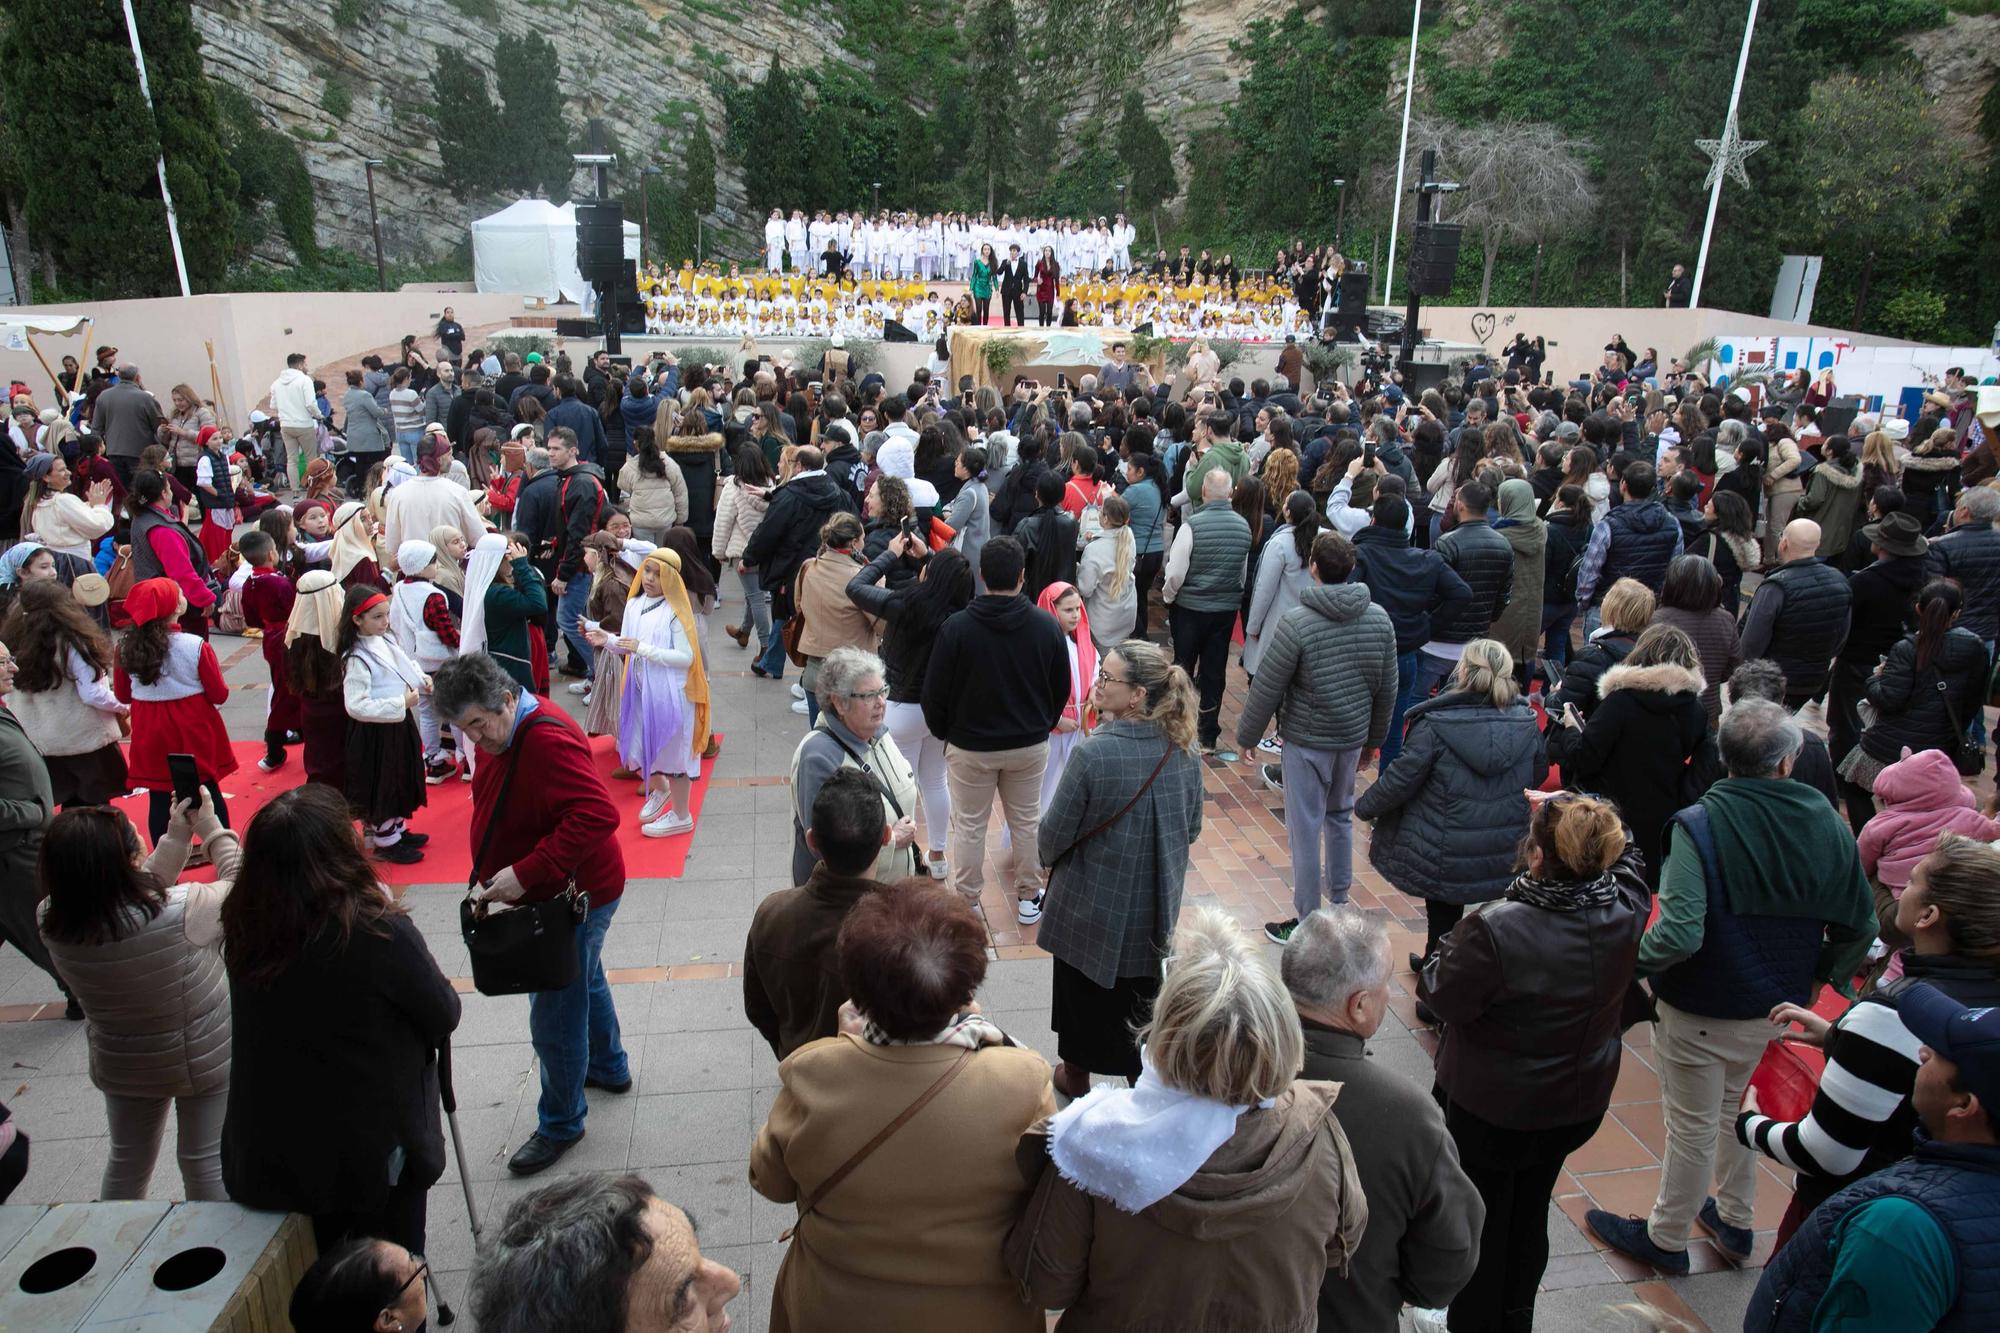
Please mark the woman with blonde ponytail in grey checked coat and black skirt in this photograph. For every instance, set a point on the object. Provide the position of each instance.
(1115, 838)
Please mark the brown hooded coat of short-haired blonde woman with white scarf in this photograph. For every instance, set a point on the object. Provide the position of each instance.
(1241, 1248)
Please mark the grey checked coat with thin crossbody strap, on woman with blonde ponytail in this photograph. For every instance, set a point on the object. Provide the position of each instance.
(1113, 904)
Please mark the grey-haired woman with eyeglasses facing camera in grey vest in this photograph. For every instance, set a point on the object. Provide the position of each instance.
(853, 694)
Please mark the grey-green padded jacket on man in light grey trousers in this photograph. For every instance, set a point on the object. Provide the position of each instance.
(1329, 674)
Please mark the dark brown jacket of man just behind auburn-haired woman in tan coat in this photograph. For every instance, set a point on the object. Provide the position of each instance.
(793, 990)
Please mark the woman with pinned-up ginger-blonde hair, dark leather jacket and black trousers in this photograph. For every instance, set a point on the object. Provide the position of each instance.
(1533, 996)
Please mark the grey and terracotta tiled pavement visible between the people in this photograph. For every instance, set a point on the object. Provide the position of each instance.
(705, 1080)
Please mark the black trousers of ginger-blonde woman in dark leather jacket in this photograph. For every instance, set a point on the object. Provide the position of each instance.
(1515, 1172)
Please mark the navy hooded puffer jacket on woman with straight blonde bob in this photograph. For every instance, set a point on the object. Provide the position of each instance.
(1451, 812)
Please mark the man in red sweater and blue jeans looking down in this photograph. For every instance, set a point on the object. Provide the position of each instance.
(531, 840)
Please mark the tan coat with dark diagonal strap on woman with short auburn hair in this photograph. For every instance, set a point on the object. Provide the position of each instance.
(911, 1240)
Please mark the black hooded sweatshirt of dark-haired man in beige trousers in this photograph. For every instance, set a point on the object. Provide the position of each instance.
(999, 676)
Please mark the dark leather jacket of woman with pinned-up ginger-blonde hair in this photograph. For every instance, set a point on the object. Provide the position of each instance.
(1533, 1006)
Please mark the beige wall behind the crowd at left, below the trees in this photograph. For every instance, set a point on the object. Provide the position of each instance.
(251, 335)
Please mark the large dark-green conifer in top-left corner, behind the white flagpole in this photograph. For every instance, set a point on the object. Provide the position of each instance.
(99, 215)
